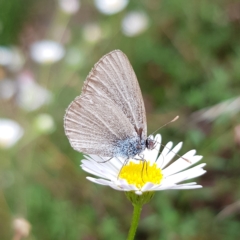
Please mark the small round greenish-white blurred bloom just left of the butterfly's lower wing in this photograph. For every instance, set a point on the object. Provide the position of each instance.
(44, 123)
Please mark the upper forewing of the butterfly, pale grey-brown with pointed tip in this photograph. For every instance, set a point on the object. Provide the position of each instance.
(113, 77)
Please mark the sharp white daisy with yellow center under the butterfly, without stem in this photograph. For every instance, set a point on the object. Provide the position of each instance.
(153, 174)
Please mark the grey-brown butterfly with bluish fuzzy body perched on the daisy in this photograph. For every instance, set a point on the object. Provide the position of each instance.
(108, 118)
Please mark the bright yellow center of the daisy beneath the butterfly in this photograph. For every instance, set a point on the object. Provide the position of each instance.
(141, 172)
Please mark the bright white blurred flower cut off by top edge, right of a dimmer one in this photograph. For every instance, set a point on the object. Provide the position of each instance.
(109, 7)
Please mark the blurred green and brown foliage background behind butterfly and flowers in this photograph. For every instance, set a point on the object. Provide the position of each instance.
(188, 59)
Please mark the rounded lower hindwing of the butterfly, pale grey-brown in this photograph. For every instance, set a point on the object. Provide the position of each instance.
(93, 124)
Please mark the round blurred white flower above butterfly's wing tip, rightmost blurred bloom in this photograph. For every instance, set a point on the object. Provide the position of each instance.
(134, 23)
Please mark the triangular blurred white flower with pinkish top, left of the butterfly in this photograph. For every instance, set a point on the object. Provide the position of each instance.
(31, 96)
